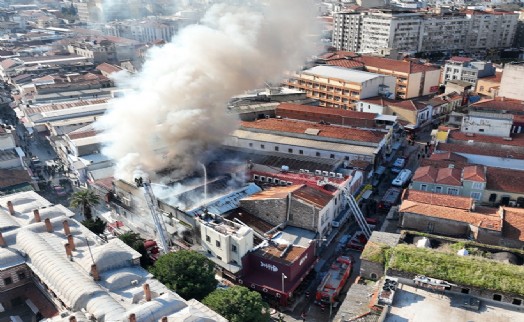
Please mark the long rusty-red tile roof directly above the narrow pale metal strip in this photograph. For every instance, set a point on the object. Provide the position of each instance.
(330, 131)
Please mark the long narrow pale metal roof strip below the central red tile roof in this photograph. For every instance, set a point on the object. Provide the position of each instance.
(319, 145)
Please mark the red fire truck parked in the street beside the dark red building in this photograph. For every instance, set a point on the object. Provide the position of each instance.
(334, 281)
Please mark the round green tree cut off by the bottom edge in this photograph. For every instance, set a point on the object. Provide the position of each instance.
(238, 304)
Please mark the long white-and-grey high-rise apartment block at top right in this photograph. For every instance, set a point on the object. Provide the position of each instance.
(380, 31)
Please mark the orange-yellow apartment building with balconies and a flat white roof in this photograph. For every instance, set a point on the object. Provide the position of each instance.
(340, 87)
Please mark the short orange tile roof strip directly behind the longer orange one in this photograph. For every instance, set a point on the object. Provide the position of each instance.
(438, 199)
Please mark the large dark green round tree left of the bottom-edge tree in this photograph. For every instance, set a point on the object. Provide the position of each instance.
(188, 273)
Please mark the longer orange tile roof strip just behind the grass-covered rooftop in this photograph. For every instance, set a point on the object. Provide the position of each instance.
(482, 216)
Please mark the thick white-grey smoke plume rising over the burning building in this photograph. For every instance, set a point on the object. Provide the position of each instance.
(175, 109)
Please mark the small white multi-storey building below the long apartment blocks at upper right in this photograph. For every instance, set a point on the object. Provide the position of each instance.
(465, 69)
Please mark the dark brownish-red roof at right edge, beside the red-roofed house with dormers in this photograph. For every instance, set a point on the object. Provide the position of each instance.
(506, 180)
